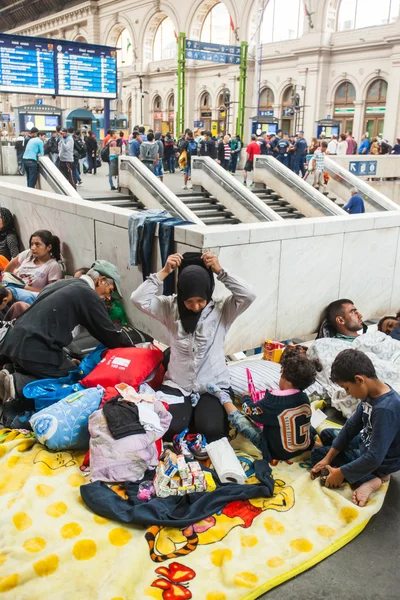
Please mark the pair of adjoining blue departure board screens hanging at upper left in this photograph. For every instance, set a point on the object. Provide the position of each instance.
(57, 67)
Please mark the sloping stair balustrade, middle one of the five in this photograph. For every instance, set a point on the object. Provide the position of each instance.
(246, 198)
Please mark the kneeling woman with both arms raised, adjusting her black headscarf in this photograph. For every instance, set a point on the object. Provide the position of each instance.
(197, 327)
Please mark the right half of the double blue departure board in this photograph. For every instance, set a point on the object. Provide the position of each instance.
(86, 71)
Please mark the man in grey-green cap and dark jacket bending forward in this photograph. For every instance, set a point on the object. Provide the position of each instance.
(36, 342)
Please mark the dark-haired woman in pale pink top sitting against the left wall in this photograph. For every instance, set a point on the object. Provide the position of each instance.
(38, 266)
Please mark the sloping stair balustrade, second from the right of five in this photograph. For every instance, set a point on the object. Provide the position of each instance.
(302, 187)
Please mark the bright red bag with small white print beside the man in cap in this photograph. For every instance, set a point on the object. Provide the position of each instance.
(132, 366)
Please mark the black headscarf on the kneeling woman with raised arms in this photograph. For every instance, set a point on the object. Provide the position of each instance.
(194, 281)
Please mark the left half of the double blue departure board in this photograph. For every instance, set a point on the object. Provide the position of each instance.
(26, 65)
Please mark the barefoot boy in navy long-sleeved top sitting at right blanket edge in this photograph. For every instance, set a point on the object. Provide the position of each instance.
(367, 450)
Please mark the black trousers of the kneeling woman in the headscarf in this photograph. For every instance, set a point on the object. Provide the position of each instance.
(208, 417)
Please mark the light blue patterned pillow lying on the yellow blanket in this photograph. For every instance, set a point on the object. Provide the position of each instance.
(64, 425)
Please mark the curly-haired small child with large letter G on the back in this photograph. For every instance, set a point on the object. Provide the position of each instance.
(285, 413)
